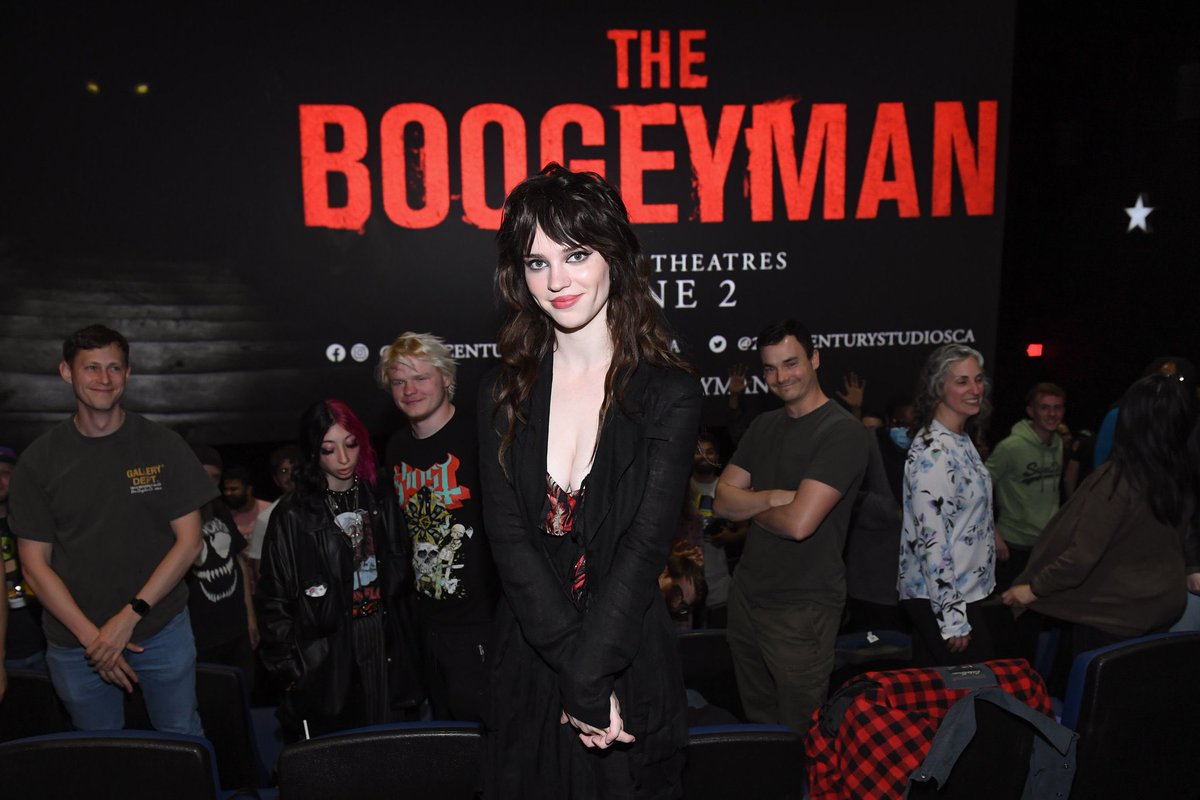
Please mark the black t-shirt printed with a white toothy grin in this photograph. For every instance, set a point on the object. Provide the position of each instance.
(217, 597)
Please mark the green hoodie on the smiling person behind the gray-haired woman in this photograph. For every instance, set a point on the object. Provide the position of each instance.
(1025, 476)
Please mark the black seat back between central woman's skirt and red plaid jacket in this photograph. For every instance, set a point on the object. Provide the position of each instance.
(765, 762)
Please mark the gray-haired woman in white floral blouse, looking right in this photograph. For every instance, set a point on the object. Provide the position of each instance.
(949, 550)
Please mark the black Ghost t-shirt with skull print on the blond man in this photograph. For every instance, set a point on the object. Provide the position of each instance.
(437, 483)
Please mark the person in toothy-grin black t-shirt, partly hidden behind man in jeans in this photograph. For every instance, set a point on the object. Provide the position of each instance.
(219, 597)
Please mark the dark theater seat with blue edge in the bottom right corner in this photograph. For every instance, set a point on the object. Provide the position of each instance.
(1136, 707)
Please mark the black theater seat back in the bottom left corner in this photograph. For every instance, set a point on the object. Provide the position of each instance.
(128, 765)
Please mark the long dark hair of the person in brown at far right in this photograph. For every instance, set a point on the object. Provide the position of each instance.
(1151, 448)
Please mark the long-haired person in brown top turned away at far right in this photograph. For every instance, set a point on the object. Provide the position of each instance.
(1112, 562)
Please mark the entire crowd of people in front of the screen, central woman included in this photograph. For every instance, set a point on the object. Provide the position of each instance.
(529, 567)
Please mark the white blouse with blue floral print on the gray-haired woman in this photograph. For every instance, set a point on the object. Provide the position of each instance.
(949, 551)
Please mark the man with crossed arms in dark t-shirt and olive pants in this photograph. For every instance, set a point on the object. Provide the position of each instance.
(795, 476)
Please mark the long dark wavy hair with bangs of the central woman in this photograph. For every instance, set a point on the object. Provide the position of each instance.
(574, 209)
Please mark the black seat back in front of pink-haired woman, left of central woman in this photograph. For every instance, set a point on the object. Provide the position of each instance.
(416, 760)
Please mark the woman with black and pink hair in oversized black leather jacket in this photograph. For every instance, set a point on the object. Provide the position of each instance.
(335, 590)
